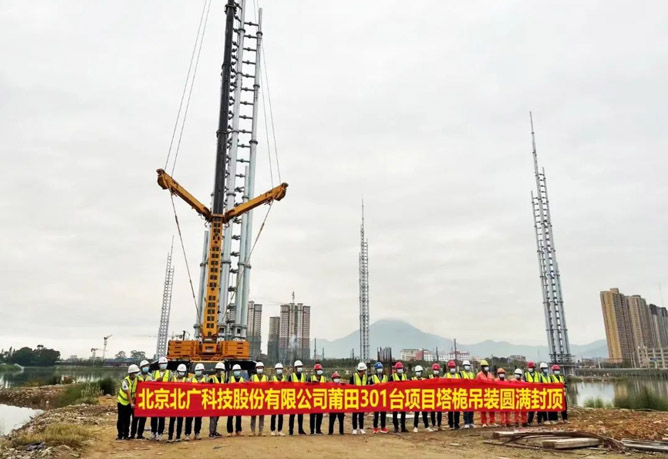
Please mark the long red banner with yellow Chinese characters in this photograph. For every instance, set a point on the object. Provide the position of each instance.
(191, 399)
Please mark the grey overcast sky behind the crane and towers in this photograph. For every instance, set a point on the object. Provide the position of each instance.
(420, 108)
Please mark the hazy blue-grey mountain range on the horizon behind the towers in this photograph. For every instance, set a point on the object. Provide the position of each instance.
(398, 335)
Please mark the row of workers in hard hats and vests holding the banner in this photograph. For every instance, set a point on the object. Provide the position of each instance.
(132, 427)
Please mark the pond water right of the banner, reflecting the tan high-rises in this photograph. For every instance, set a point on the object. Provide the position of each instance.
(579, 393)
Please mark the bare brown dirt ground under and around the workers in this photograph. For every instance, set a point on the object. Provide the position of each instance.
(100, 422)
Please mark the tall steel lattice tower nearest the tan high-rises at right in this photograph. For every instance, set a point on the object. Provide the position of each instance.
(555, 320)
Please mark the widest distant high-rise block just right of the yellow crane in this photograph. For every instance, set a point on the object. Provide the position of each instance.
(294, 332)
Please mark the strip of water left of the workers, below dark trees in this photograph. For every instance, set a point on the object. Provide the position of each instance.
(36, 375)
